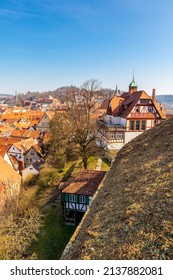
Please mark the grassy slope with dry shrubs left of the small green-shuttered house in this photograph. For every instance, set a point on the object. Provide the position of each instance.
(32, 227)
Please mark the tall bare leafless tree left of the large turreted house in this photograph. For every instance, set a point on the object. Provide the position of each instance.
(76, 135)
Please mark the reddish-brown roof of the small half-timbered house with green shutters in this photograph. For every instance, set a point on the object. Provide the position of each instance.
(86, 183)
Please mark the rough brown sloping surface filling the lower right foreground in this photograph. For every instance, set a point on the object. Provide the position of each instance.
(131, 216)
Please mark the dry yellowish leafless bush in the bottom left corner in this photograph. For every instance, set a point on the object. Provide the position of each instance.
(19, 225)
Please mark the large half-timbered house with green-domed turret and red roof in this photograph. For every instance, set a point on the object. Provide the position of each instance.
(127, 116)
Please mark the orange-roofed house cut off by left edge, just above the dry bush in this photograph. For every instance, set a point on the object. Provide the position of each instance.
(10, 182)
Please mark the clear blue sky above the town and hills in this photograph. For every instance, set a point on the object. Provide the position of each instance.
(45, 44)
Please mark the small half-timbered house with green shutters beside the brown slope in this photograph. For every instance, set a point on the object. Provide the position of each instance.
(76, 195)
